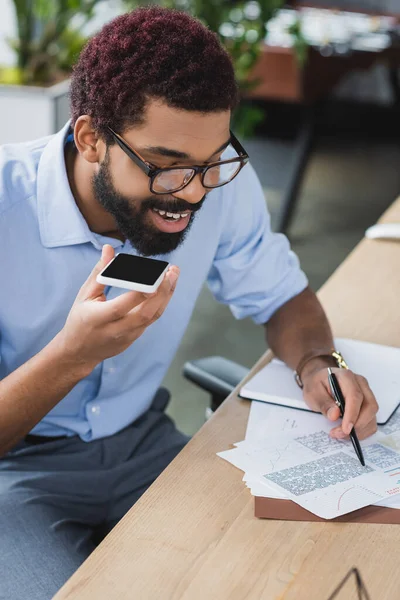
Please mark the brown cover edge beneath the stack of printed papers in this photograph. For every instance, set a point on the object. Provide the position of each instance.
(286, 510)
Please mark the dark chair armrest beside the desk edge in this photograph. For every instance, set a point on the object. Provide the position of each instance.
(215, 374)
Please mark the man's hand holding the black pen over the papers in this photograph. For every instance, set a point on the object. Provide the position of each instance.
(361, 405)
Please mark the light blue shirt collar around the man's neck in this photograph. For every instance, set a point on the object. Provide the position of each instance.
(60, 221)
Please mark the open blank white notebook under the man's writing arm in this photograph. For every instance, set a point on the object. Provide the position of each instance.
(379, 364)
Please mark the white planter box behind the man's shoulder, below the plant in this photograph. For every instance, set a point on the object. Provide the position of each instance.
(28, 112)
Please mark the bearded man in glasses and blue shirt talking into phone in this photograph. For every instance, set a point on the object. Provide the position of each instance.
(142, 168)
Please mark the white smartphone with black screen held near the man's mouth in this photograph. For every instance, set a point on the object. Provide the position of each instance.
(133, 273)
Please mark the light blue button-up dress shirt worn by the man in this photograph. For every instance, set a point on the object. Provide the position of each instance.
(47, 251)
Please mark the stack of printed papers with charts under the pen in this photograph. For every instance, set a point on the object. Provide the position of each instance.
(289, 454)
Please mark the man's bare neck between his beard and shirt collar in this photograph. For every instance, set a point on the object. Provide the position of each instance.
(80, 173)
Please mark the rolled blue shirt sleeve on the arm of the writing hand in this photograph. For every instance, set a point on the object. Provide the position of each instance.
(254, 270)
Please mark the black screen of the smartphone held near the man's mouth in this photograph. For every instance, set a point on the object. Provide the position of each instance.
(136, 269)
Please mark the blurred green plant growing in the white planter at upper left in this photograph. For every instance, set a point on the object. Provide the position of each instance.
(49, 39)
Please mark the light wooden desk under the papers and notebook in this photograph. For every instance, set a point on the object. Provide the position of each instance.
(193, 534)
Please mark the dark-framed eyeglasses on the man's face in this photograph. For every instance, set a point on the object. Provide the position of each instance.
(173, 179)
